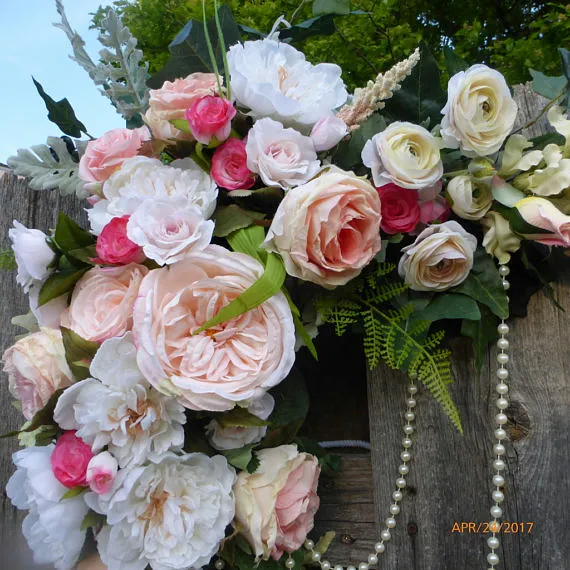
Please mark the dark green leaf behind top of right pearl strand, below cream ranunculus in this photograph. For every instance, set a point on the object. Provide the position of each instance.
(484, 284)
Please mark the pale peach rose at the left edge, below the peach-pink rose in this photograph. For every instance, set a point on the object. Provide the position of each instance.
(36, 368)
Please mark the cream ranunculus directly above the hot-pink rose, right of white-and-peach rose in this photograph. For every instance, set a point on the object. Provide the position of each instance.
(405, 154)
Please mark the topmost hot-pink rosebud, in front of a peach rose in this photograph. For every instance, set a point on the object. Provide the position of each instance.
(210, 116)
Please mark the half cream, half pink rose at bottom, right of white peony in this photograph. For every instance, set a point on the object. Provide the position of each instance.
(276, 505)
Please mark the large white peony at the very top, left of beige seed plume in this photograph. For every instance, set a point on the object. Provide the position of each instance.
(273, 79)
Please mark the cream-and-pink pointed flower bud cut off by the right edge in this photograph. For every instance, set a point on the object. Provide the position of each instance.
(543, 214)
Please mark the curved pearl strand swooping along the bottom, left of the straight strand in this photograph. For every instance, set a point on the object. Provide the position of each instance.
(397, 495)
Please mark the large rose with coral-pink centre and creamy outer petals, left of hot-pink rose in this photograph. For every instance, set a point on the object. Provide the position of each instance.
(327, 230)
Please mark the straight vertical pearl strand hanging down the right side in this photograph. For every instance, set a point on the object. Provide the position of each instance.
(500, 433)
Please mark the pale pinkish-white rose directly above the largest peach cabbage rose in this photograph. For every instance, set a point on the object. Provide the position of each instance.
(168, 229)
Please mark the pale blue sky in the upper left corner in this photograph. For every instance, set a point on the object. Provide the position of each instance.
(30, 45)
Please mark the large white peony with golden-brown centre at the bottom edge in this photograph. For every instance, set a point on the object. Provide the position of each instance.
(171, 515)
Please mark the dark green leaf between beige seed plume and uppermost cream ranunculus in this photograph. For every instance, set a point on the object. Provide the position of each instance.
(421, 96)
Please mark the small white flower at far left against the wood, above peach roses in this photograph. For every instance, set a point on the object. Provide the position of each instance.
(33, 254)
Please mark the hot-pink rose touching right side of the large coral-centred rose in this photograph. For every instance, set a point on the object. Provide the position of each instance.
(400, 209)
